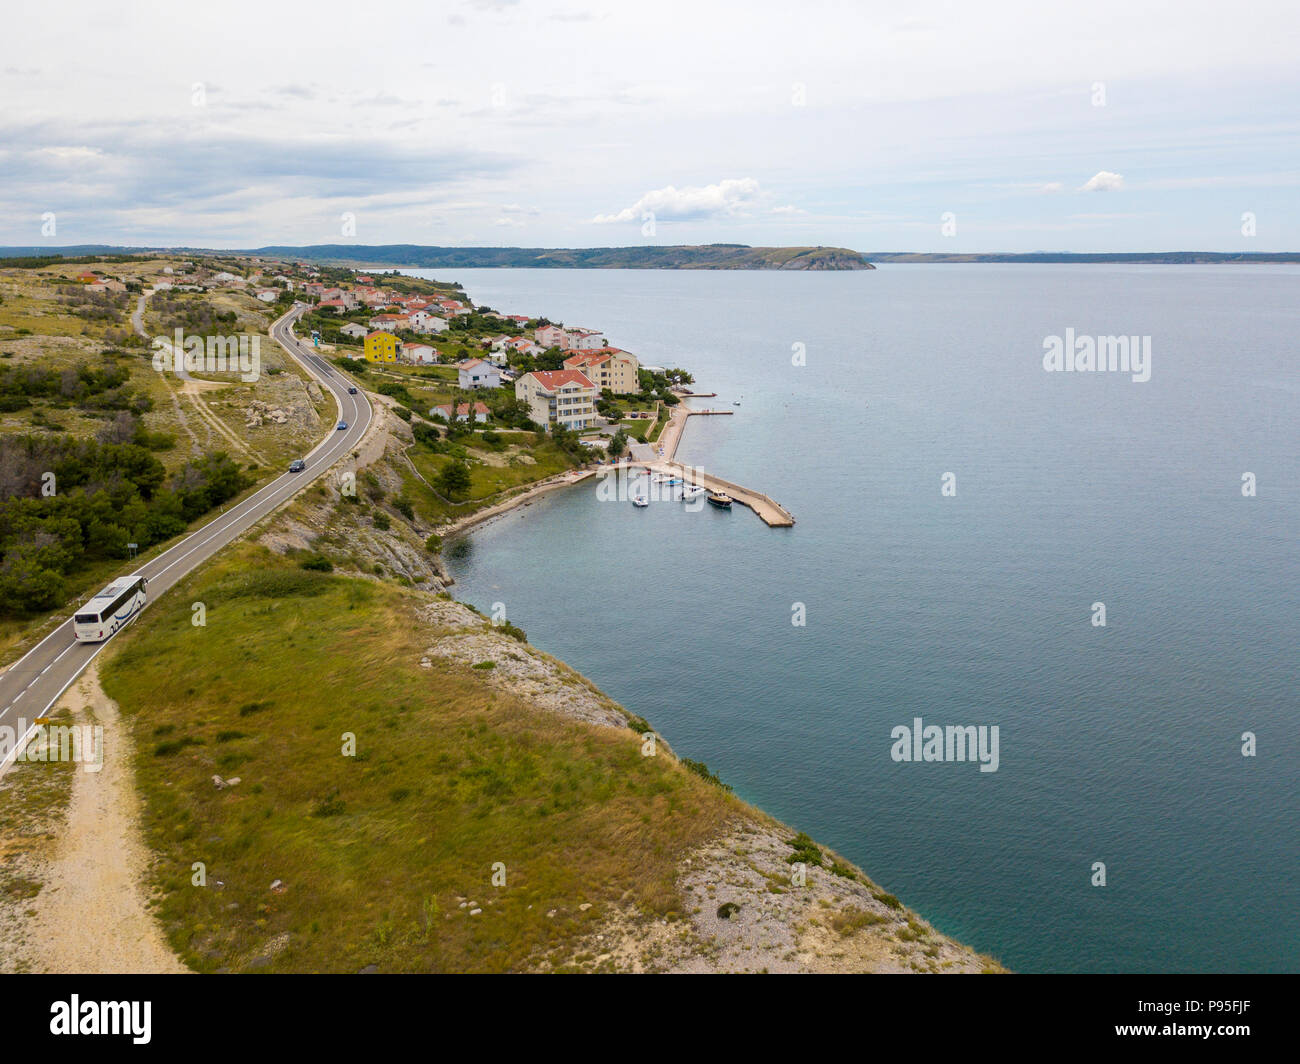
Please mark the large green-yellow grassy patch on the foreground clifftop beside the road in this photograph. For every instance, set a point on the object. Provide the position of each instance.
(452, 777)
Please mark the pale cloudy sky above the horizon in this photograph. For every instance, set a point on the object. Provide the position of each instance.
(900, 127)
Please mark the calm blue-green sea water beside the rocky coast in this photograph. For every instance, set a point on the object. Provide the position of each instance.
(1119, 745)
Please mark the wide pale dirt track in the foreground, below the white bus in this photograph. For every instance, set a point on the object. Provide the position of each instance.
(93, 915)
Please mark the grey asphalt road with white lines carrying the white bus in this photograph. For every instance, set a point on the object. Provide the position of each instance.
(32, 686)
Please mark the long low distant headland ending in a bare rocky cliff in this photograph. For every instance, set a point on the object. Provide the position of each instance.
(651, 257)
